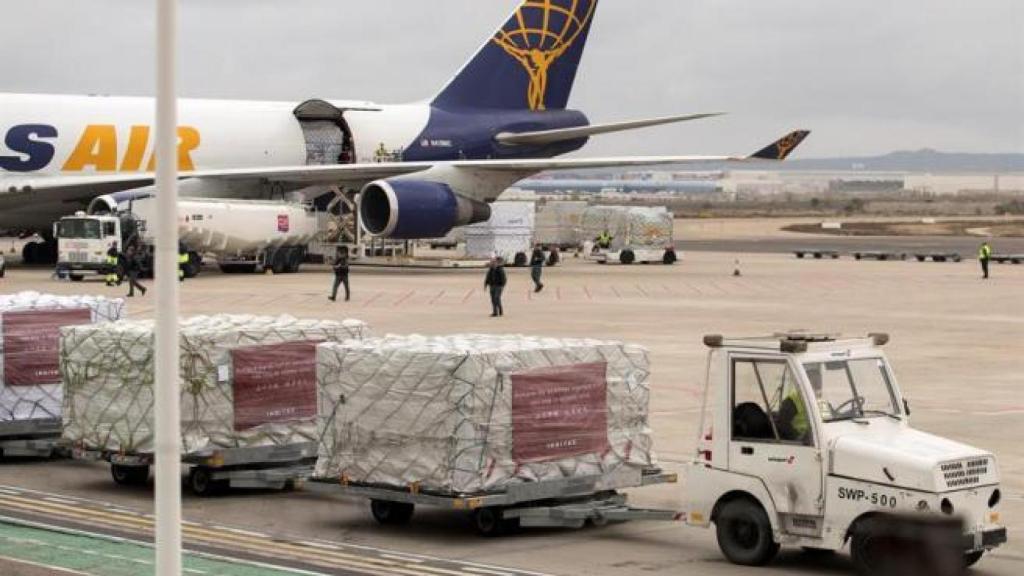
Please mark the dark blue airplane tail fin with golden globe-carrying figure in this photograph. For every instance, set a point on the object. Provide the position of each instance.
(530, 64)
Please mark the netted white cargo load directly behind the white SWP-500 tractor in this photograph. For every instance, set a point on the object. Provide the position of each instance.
(477, 414)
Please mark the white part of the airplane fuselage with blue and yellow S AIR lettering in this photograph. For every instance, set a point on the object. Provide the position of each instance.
(105, 135)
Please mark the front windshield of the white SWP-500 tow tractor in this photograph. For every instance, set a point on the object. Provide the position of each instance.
(852, 389)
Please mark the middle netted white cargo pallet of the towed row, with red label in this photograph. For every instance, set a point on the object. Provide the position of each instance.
(246, 382)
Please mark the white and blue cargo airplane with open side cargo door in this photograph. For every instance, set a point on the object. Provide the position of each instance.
(421, 169)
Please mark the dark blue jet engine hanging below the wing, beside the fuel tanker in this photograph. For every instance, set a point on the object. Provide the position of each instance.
(415, 210)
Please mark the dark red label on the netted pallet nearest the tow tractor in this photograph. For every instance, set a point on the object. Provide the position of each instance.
(560, 413)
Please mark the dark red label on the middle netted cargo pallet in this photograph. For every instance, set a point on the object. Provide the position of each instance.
(275, 384)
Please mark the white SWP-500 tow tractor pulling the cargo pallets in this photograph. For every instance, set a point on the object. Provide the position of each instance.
(806, 441)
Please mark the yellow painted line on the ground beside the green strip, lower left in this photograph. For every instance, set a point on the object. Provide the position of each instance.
(249, 542)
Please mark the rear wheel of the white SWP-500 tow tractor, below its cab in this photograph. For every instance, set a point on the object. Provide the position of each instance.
(745, 533)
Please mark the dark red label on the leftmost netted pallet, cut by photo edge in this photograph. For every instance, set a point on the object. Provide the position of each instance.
(31, 345)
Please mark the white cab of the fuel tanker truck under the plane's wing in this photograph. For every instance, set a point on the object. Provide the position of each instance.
(83, 241)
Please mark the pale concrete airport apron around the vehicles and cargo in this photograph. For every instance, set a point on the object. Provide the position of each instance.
(957, 345)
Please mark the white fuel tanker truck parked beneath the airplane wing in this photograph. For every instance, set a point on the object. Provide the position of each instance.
(243, 236)
